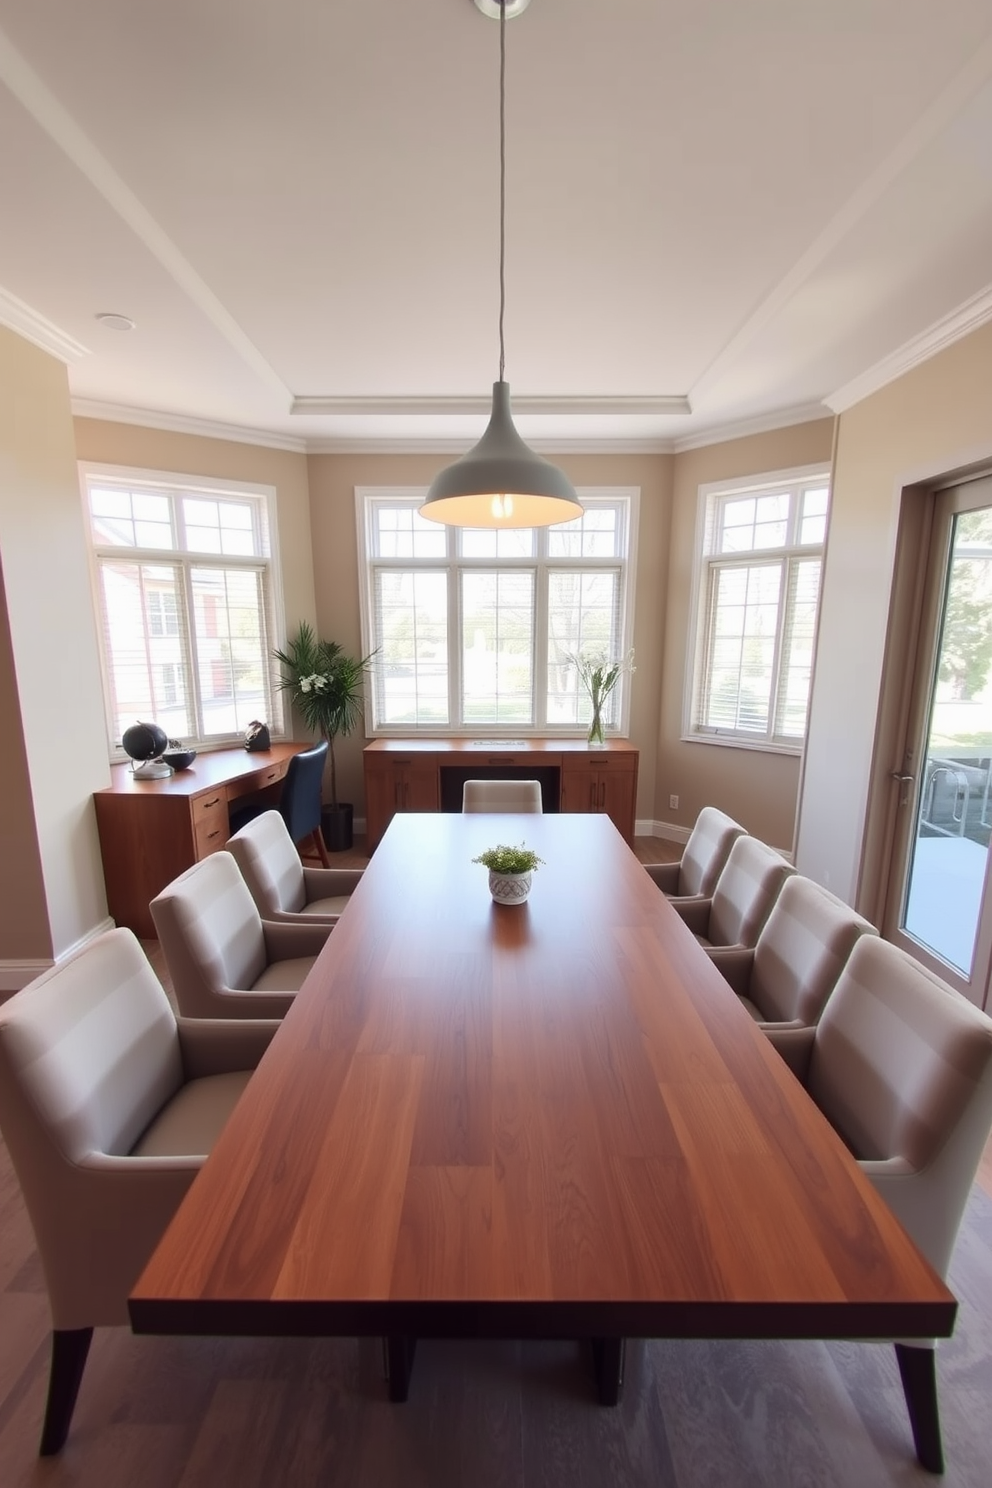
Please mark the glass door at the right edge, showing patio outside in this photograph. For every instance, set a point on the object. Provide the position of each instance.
(941, 899)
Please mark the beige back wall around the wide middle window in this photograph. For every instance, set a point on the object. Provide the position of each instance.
(332, 486)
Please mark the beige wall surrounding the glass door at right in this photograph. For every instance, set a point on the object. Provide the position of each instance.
(932, 423)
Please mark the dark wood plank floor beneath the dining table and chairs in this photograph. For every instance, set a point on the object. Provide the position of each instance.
(160, 1413)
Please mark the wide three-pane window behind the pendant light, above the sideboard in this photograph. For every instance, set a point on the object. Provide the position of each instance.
(478, 630)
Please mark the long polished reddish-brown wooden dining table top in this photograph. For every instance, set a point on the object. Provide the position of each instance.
(551, 1120)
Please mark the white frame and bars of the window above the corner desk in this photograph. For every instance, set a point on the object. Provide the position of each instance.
(176, 484)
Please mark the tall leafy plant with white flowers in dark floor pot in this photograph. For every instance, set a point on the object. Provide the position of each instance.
(326, 690)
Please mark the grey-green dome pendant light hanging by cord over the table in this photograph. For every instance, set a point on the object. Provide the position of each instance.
(500, 481)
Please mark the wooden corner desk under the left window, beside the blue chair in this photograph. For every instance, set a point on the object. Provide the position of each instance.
(152, 831)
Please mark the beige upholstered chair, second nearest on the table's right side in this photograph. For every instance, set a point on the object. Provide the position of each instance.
(802, 950)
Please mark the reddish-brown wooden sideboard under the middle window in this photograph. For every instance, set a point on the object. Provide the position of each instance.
(428, 775)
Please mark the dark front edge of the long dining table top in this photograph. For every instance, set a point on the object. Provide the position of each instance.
(786, 1321)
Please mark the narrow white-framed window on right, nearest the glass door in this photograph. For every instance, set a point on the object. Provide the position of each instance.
(761, 554)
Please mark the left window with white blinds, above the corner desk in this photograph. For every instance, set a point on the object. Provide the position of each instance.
(182, 584)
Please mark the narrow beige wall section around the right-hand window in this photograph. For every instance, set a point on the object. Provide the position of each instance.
(755, 786)
